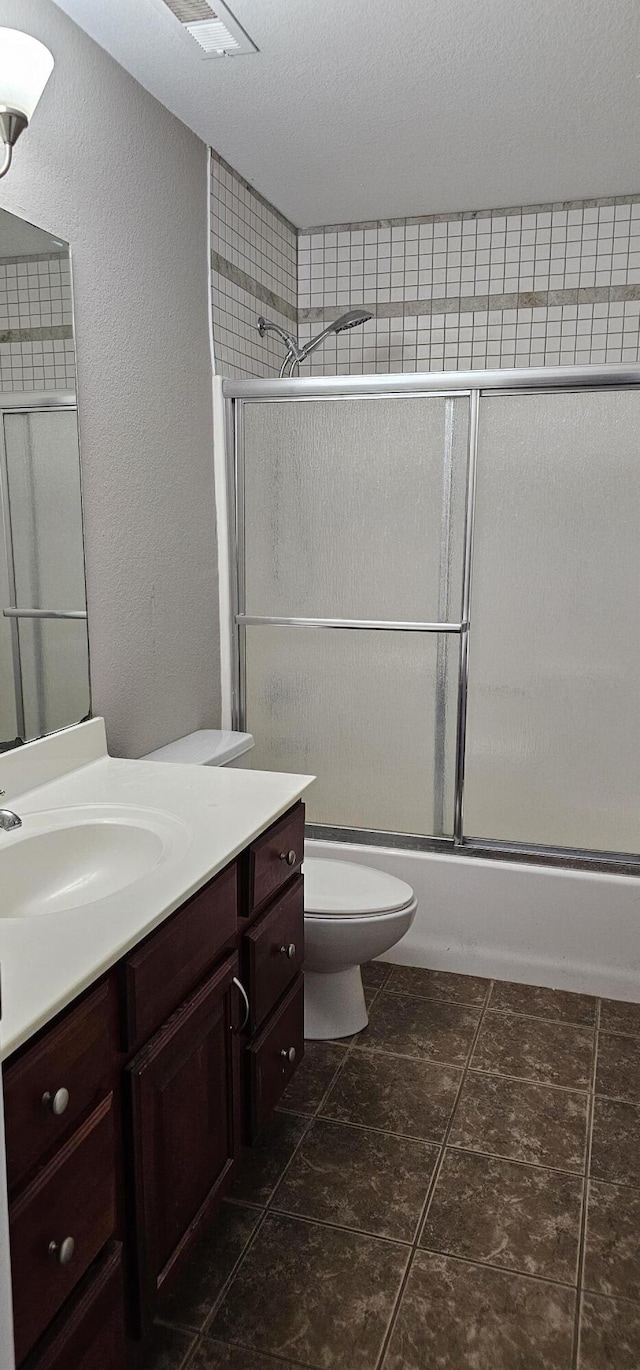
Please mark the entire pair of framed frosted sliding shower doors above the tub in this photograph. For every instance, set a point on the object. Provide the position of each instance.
(439, 603)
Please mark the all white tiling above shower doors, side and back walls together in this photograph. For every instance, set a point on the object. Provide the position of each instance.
(541, 286)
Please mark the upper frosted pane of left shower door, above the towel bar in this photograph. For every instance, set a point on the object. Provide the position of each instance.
(349, 503)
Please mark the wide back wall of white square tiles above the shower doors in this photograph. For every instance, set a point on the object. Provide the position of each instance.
(532, 287)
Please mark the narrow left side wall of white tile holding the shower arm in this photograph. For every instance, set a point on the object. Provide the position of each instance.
(254, 261)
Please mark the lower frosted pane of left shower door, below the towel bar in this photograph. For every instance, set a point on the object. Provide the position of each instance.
(358, 710)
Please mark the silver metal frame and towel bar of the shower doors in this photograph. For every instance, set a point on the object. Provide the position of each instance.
(446, 384)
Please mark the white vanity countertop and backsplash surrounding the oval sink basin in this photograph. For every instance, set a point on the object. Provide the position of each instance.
(51, 958)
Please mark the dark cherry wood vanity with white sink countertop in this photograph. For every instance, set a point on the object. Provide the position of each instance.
(128, 1105)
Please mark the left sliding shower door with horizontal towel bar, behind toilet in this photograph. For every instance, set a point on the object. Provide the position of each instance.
(352, 521)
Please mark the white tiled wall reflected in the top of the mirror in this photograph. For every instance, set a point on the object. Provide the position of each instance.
(36, 325)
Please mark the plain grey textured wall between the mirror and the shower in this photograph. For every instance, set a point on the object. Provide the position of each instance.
(109, 169)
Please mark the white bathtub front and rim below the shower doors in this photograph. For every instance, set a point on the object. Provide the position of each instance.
(541, 925)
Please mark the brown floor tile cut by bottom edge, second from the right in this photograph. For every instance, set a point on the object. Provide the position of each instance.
(464, 1317)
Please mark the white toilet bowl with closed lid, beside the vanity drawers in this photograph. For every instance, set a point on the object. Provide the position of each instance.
(352, 916)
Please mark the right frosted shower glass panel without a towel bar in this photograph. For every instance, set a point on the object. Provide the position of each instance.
(554, 734)
